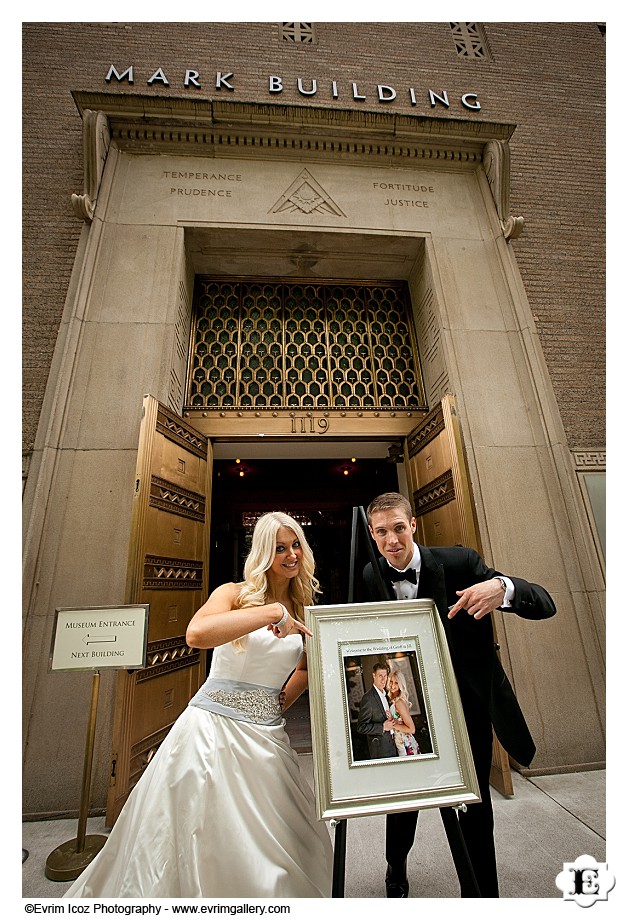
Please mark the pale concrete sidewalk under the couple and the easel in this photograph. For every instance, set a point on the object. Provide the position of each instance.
(549, 820)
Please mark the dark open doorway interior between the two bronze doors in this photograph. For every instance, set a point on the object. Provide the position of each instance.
(321, 495)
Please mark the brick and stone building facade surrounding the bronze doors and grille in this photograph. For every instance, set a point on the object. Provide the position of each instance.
(131, 189)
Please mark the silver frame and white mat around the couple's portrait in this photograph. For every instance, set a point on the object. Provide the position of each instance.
(346, 788)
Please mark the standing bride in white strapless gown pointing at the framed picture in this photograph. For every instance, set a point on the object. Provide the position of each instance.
(222, 809)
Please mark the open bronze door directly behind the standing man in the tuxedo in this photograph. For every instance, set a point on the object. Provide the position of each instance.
(441, 493)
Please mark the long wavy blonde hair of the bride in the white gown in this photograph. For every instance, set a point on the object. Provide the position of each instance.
(302, 589)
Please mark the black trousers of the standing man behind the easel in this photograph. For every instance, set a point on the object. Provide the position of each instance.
(476, 823)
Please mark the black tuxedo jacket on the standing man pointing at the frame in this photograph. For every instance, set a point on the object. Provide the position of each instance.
(481, 679)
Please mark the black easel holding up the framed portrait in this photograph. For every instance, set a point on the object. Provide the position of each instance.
(457, 845)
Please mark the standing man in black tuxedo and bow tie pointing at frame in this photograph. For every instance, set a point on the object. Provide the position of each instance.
(464, 590)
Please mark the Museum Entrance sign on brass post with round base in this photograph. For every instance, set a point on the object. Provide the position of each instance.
(92, 638)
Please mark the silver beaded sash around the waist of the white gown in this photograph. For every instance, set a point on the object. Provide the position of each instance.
(238, 700)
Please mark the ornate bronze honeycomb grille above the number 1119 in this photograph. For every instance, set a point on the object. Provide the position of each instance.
(269, 345)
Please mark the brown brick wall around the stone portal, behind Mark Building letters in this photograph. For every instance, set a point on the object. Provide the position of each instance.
(547, 78)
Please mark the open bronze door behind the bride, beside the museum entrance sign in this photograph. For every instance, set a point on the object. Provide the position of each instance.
(168, 558)
